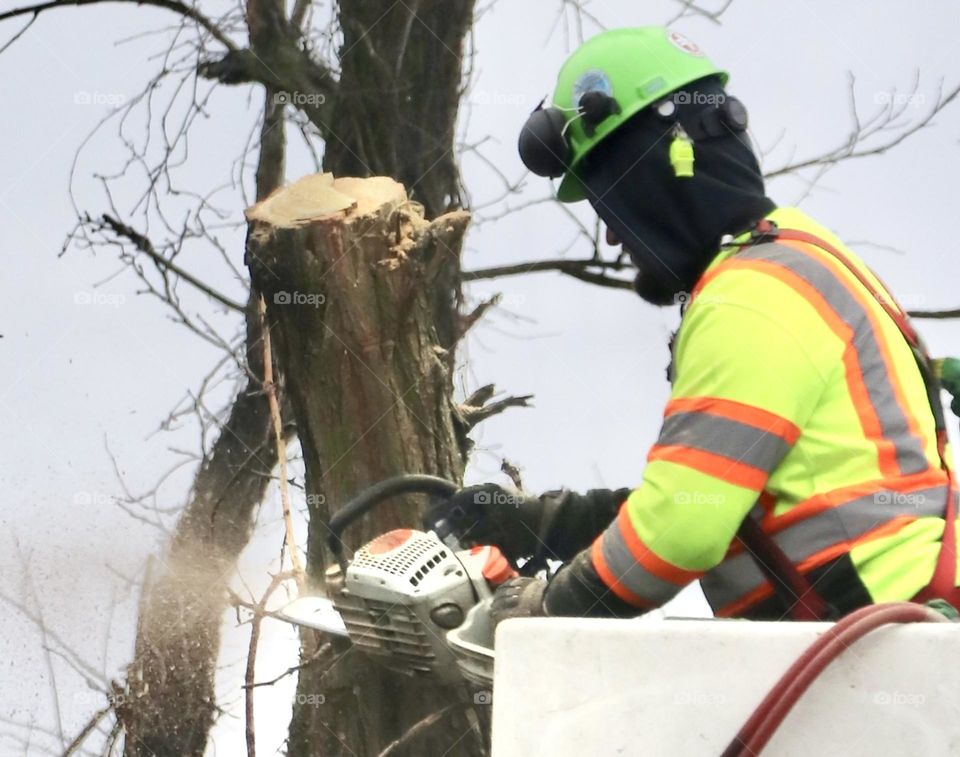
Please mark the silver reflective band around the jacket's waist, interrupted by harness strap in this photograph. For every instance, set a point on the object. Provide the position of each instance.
(739, 575)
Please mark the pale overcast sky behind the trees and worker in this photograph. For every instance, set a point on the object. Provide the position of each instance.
(87, 368)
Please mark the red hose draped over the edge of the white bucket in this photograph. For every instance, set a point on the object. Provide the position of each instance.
(770, 713)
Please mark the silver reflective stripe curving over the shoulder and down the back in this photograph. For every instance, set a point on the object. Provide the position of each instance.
(893, 423)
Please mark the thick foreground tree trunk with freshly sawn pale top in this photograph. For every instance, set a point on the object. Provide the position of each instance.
(348, 269)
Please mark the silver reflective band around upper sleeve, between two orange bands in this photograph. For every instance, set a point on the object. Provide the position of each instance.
(721, 436)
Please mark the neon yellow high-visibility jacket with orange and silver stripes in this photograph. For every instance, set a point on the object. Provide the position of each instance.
(797, 401)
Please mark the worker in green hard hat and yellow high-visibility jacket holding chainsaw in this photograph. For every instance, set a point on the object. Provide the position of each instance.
(801, 470)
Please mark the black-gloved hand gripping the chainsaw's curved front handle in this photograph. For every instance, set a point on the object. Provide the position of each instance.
(489, 514)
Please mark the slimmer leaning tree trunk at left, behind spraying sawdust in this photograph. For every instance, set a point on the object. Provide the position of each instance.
(169, 706)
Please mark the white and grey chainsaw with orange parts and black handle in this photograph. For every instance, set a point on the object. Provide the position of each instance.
(408, 597)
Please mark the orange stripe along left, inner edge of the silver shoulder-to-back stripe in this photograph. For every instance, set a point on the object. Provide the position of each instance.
(866, 412)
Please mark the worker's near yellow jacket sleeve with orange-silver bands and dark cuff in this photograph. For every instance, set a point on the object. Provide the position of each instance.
(744, 387)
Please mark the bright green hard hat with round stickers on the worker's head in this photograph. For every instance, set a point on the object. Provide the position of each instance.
(637, 67)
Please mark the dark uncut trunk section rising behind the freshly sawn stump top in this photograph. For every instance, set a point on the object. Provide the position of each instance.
(395, 109)
